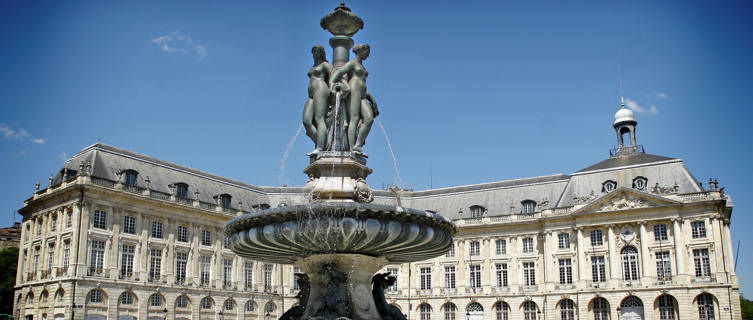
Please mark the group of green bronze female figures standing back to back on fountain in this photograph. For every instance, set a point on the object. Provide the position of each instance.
(339, 111)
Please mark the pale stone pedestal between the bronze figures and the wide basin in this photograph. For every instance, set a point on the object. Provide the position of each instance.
(338, 176)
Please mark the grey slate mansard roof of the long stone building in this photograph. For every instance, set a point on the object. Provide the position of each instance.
(499, 198)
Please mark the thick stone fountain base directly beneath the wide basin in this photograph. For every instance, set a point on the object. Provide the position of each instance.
(341, 286)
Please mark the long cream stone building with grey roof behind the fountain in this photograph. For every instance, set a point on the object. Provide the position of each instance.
(120, 235)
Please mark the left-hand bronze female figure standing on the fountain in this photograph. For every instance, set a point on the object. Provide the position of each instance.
(315, 109)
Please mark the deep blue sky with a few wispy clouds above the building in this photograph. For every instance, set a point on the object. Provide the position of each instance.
(468, 93)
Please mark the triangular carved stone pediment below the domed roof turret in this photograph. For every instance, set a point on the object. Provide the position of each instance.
(625, 199)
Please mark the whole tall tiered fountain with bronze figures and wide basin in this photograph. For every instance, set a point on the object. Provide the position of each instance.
(340, 239)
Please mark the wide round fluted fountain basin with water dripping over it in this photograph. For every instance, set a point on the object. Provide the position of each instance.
(288, 234)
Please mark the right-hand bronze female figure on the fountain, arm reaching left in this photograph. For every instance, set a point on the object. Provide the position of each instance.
(361, 105)
